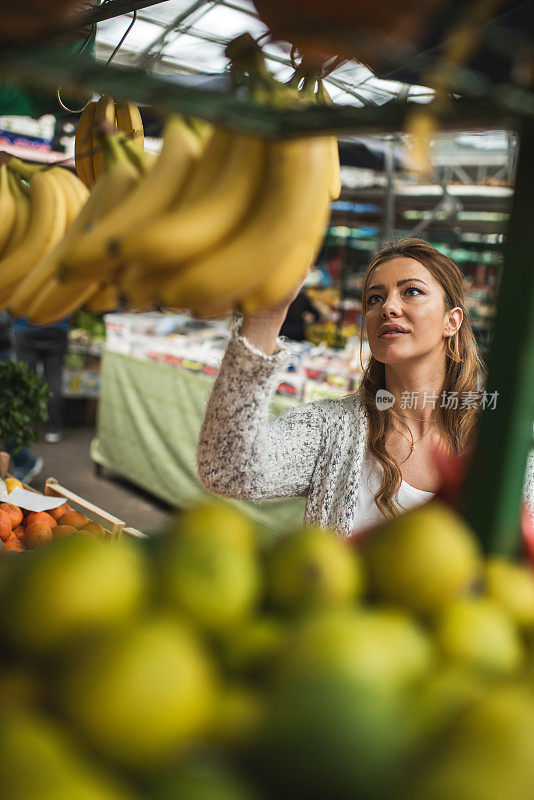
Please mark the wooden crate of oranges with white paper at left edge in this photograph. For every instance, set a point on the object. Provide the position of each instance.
(22, 529)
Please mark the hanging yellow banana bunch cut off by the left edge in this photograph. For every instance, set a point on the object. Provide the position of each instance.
(42, 209)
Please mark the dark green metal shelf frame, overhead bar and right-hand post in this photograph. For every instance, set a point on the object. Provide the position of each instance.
(494, 484)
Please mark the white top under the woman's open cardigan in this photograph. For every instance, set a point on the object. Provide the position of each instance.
(367, 512)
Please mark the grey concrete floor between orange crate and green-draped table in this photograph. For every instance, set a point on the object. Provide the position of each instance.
(69, 462)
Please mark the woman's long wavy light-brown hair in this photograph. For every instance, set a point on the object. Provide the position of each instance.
(465, 371)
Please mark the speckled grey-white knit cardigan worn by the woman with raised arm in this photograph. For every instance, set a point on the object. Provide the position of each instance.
(315, 450)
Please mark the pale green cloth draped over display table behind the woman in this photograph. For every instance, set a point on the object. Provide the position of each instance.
(148, 423)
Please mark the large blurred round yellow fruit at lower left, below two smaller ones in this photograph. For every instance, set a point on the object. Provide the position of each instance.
(142, 694)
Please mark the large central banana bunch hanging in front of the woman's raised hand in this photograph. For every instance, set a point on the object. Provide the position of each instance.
(222, 219)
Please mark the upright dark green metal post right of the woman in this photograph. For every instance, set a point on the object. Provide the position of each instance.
(494, 486)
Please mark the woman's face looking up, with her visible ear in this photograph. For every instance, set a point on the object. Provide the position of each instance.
(402, 293)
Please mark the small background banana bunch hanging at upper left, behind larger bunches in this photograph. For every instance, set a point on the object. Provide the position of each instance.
(97, 118)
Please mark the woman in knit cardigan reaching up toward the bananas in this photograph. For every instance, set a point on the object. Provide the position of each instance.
(356, 460)
